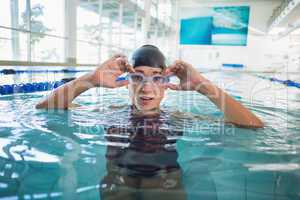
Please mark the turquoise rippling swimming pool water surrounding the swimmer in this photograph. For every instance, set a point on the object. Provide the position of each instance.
(63, 154)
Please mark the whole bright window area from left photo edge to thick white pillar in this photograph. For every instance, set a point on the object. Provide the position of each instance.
(35, 38)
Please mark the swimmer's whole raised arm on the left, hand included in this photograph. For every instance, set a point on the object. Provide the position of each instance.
(103, 76)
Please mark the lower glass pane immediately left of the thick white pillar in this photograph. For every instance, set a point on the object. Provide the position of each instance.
(46, 49)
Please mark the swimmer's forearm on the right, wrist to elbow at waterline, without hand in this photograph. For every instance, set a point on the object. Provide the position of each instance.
(234, 111)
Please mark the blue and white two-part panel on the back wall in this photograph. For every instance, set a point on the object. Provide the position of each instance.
(226, 26)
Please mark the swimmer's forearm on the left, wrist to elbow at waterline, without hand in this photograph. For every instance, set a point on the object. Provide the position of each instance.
(62, 97)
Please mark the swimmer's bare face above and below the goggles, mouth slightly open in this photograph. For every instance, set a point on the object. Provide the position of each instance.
(147, 96)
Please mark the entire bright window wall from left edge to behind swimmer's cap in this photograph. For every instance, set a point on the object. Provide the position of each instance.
(35, 30)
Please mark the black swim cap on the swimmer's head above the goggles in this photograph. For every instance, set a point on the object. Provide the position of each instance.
(148, 55)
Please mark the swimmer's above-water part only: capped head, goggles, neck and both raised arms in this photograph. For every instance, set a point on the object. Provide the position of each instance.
(147, 83)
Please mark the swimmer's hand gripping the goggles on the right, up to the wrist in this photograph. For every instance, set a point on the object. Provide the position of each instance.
(190, 78)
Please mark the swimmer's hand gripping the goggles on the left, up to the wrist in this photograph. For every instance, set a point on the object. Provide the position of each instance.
(107, 73)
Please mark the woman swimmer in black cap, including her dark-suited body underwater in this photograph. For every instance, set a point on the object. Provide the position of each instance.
(143, 164)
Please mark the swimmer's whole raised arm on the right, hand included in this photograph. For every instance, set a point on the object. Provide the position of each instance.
(234, 112)
